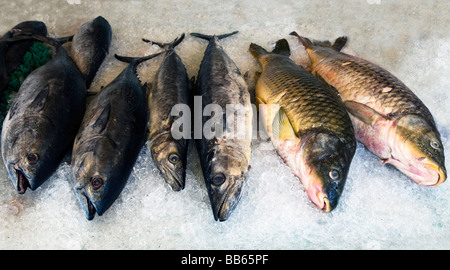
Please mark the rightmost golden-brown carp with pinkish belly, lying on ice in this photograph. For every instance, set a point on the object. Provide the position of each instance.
(389, 119)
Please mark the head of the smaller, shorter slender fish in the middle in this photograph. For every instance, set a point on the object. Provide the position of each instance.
(169, 156)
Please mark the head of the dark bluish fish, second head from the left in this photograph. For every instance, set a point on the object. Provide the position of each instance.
(94, 184)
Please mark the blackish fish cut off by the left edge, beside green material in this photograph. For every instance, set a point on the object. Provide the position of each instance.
(13, 46)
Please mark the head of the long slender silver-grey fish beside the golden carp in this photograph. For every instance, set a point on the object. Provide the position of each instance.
(225, 178)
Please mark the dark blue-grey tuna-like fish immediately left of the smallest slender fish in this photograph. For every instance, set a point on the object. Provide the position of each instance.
(109, 140)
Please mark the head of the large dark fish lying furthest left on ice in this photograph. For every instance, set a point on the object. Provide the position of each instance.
(28, 158)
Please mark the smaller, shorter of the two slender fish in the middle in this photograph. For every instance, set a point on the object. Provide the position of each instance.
(171, 87)
